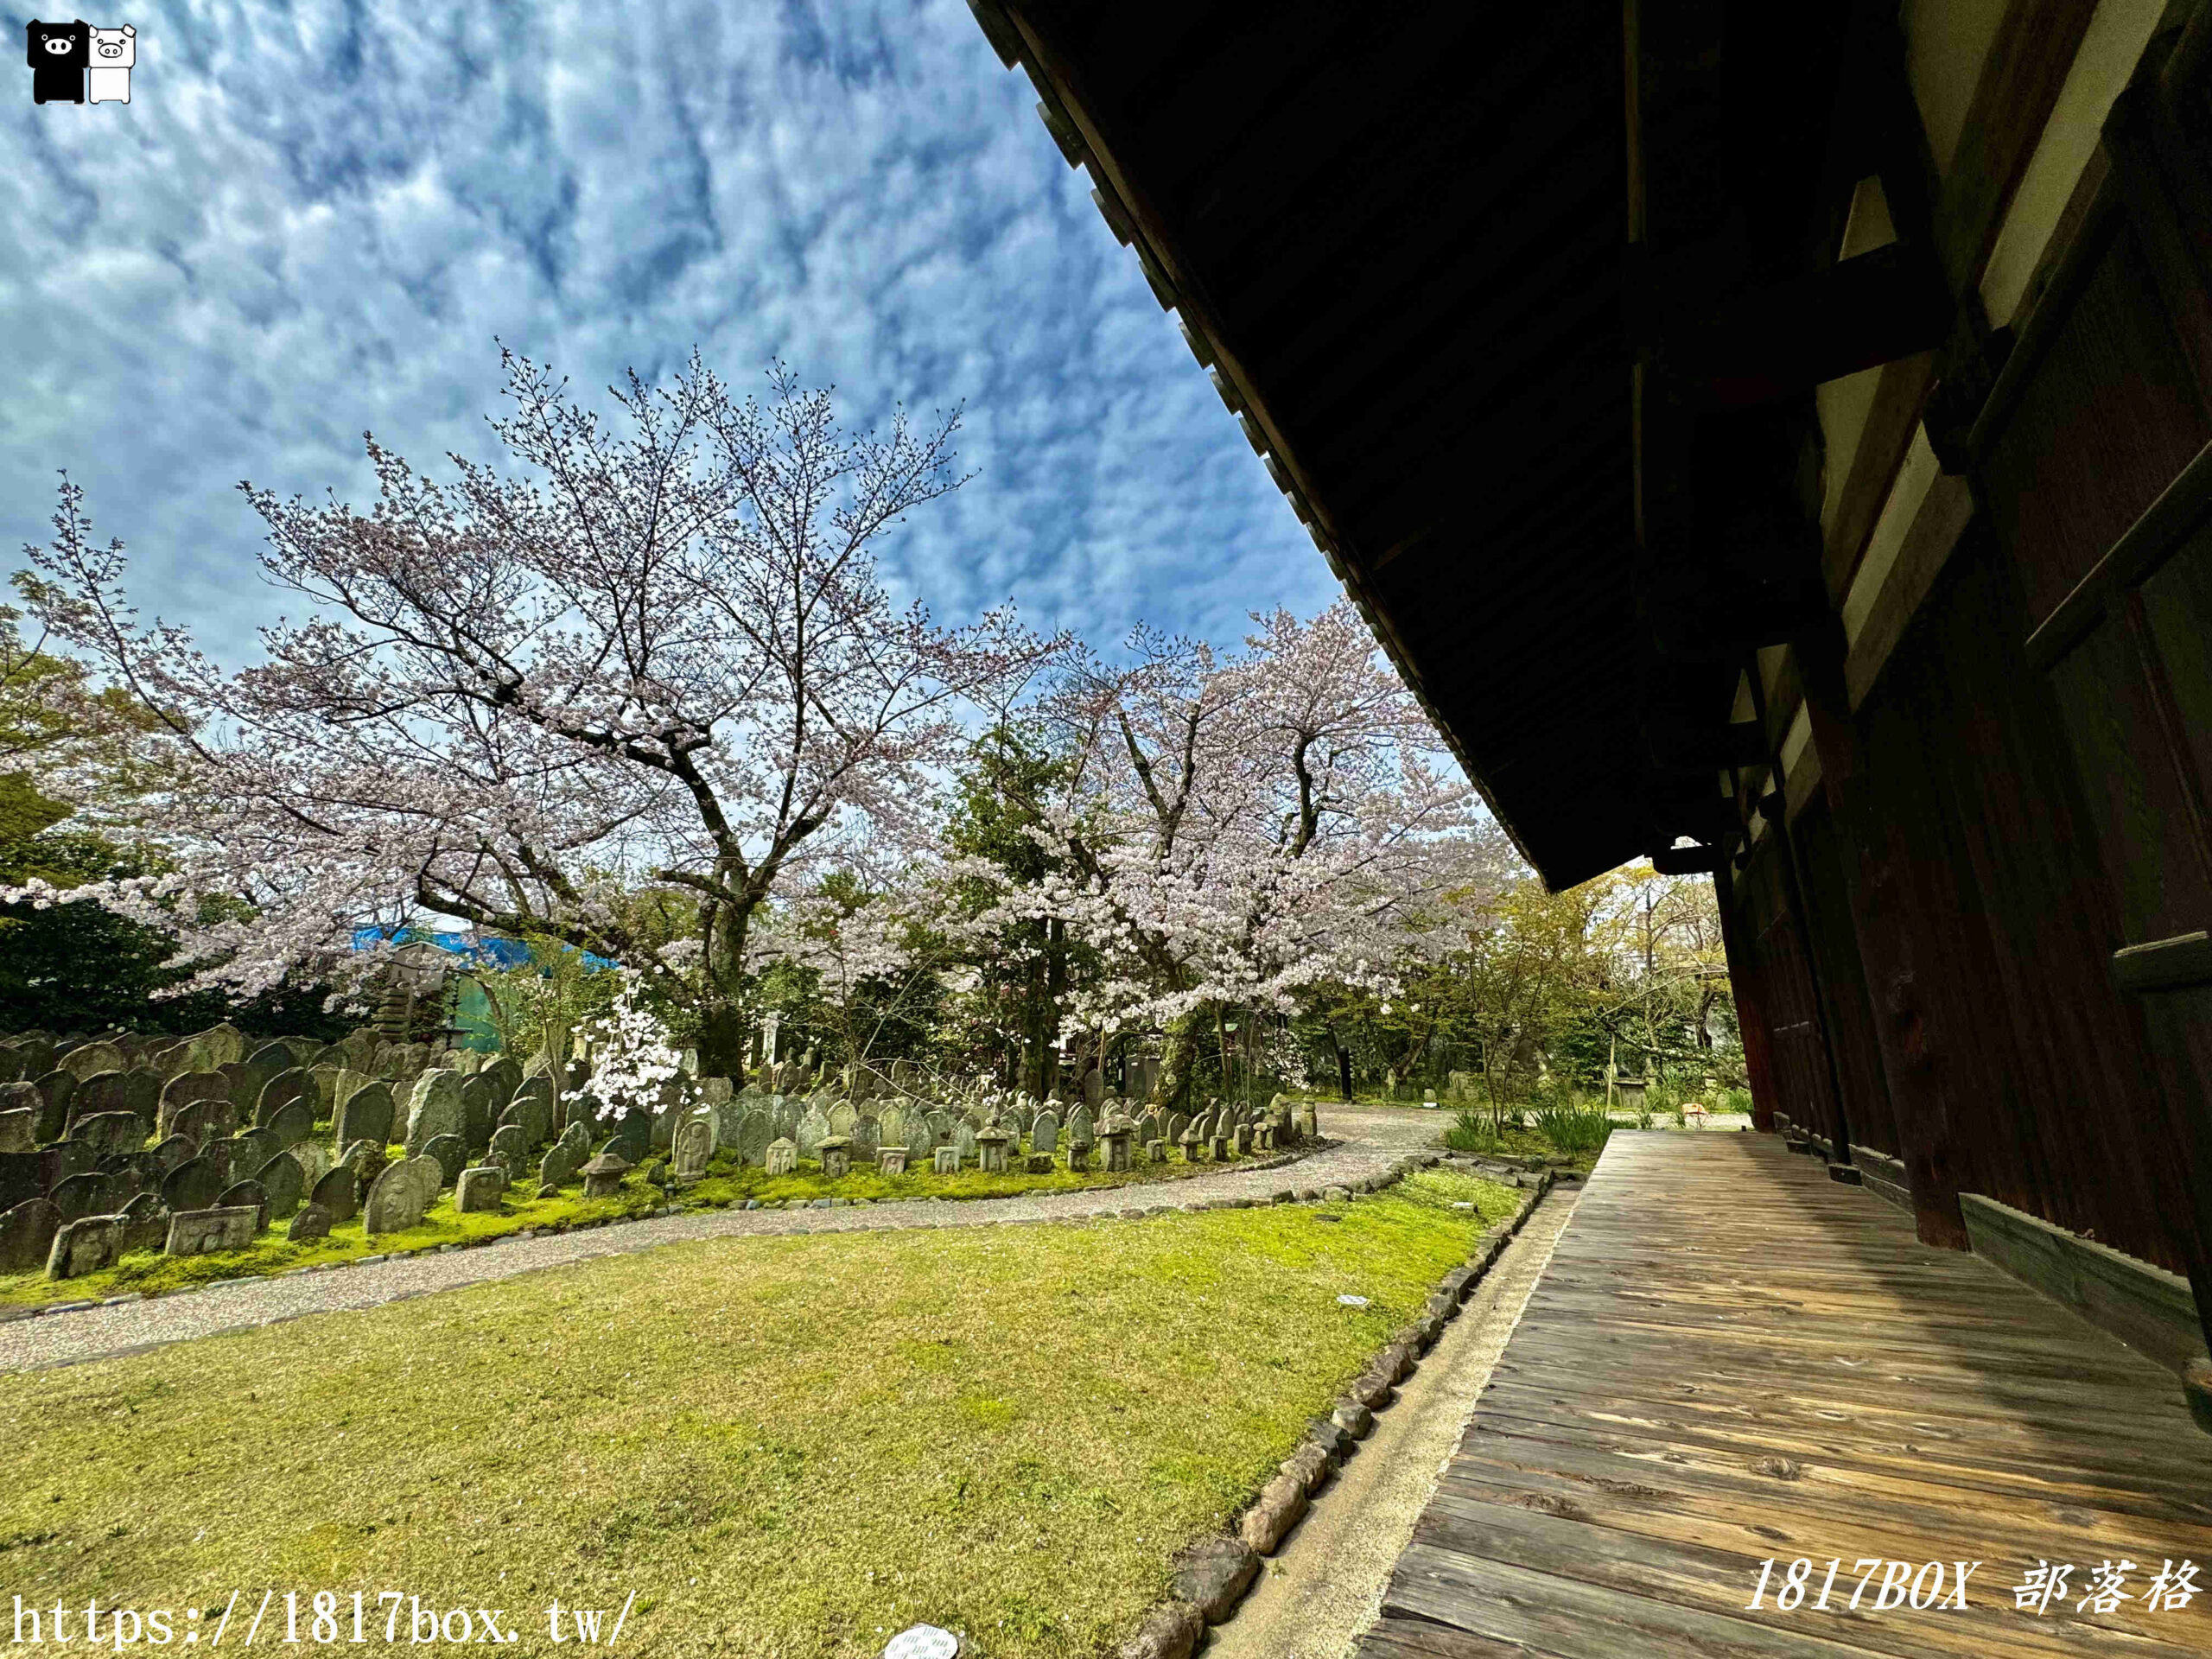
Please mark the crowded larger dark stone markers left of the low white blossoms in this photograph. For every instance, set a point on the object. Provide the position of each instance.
(200, 1145)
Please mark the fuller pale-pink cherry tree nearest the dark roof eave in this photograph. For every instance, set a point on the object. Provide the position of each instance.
(1240, 828)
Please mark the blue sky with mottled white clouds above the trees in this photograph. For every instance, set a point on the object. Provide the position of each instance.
(313, 220)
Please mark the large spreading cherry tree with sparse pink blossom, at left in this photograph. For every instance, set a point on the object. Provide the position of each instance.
(656, 651)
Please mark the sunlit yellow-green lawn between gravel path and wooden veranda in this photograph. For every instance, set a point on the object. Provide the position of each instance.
(782, 1446)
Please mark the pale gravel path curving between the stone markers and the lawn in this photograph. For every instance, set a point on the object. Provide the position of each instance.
(1370, 1142)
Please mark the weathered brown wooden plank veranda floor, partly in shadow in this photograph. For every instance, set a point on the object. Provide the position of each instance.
(1733, 1359)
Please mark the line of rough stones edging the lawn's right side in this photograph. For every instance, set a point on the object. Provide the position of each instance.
(1215, 1574)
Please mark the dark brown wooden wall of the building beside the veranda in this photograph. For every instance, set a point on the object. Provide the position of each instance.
(2010, 877)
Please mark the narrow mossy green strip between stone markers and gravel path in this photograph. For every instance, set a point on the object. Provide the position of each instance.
(724, 1182)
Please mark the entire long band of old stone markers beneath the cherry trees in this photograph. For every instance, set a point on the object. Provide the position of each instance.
(200, 1145)
